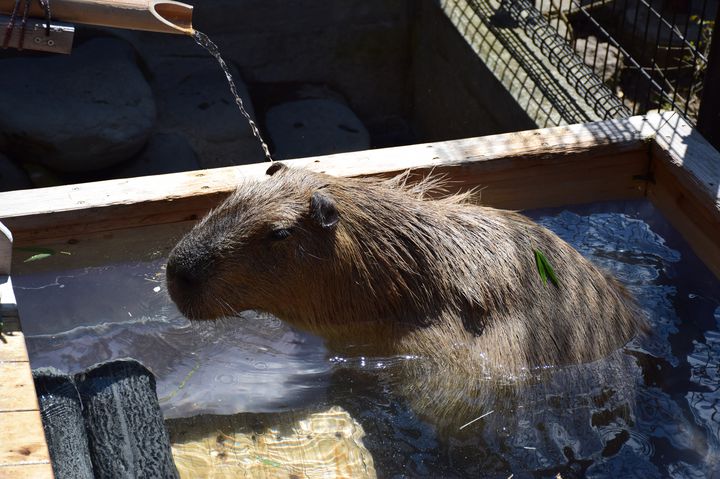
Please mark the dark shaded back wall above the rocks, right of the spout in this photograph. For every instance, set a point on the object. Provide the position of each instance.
(360, 48)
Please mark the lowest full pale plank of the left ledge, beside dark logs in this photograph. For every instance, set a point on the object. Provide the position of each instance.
(22, 440)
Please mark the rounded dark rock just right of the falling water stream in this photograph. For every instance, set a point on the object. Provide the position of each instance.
(312, 127)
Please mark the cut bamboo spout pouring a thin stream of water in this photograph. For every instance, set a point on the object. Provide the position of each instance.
(165, 16)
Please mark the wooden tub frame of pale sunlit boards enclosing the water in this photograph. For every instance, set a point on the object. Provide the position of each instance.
(659, 157)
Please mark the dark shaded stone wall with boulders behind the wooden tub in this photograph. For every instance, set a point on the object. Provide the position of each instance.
(318, 77)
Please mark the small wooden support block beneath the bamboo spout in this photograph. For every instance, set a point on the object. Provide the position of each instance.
(59, 41)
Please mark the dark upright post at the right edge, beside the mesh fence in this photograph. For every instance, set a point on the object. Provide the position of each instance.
(709, 114)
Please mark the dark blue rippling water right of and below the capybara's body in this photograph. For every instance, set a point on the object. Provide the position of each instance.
(650, 410)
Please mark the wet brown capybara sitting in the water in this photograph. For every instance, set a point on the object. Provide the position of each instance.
(379, 265)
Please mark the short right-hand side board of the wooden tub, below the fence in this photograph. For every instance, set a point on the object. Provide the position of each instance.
(686, 186)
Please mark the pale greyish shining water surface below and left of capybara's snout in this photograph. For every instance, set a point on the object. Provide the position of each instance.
(250, 363)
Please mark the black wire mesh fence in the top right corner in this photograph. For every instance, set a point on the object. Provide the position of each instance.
(653, 54)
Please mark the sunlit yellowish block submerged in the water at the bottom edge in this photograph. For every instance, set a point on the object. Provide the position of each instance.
(322, 444)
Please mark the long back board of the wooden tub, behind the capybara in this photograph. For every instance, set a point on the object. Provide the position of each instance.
(76, 210)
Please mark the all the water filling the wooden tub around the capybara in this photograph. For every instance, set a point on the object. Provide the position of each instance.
(650, 410)
